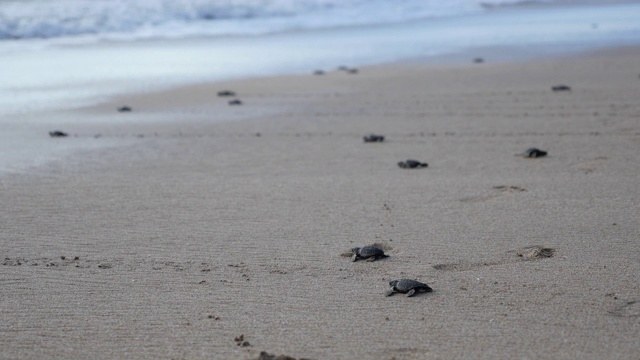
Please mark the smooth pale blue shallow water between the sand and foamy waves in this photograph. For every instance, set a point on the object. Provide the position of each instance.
(41, 78)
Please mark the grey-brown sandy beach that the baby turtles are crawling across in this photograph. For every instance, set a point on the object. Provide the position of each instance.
(212, 221)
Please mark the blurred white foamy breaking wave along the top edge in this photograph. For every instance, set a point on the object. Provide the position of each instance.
(26, 19)
